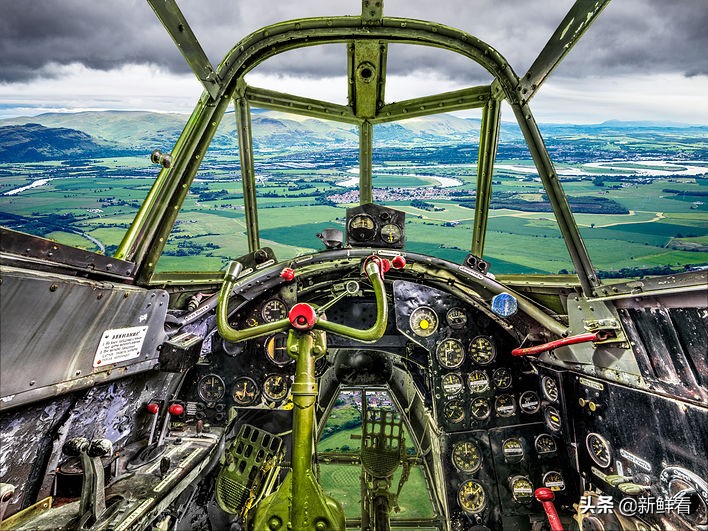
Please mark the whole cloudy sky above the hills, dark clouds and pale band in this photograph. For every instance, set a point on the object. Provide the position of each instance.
(641, 60)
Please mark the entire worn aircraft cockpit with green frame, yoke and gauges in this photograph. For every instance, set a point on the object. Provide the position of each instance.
(367, 385)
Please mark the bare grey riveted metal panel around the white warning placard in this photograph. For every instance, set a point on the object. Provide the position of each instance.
(52, 326)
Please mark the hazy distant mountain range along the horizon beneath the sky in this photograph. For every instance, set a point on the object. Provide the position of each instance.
(56, 136)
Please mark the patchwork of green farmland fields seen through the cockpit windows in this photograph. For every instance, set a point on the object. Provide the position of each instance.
(91, 203)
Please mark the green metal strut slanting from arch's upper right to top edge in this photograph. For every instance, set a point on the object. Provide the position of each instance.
(572, 27)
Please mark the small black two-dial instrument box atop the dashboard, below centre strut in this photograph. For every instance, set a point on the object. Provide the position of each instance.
(372, 225)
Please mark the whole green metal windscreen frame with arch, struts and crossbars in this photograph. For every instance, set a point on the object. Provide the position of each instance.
(367, 38)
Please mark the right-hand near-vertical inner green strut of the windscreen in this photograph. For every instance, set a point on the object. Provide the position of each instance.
(488, 140)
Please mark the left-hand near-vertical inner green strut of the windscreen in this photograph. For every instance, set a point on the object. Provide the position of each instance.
(248, 174)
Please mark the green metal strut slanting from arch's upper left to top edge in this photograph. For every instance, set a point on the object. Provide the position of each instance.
(176, 25)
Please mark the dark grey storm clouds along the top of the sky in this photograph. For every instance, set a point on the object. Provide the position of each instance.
(630, 36)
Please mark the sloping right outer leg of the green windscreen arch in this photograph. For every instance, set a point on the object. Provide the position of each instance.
(556, 197)
